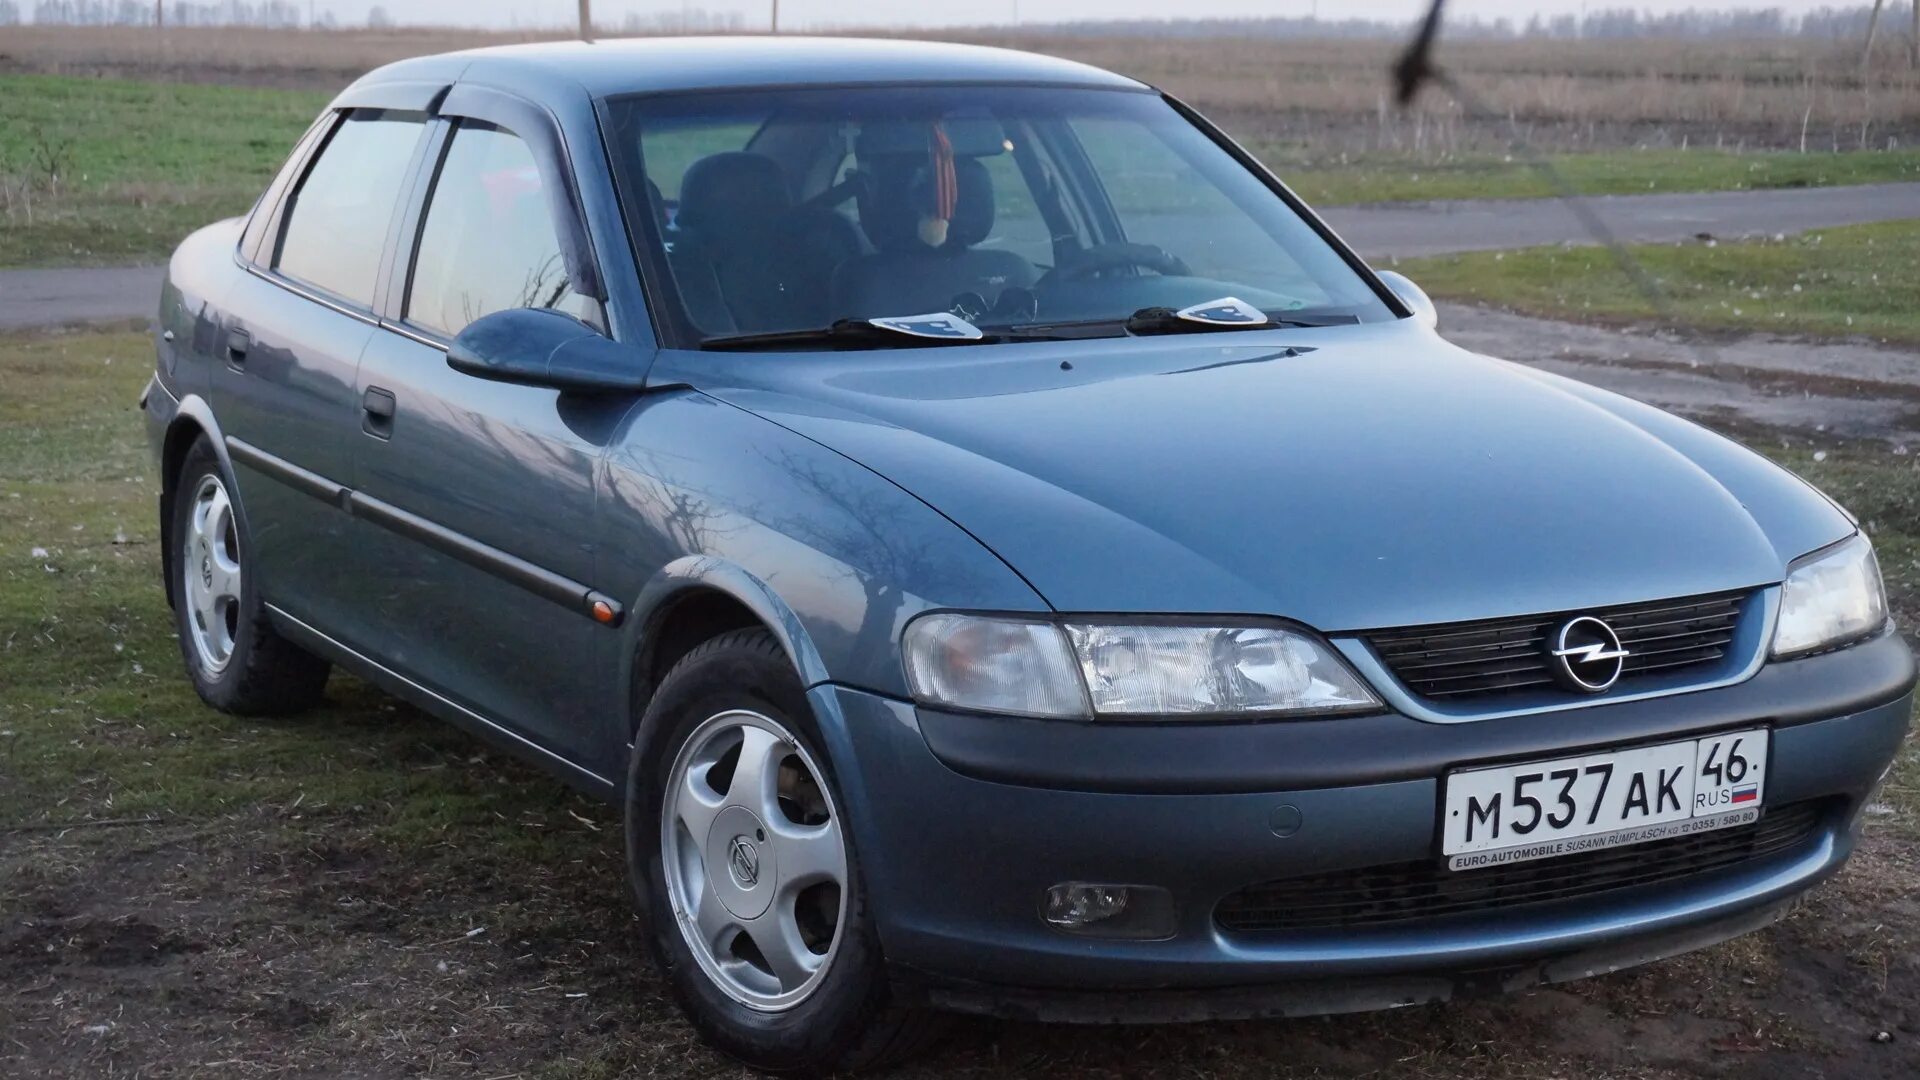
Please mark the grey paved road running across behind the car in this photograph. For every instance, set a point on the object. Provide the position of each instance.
(57, 297)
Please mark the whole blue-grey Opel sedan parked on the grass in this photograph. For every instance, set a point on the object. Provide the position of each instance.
(1001, 549)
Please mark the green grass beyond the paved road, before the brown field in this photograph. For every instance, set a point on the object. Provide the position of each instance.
(101, 172)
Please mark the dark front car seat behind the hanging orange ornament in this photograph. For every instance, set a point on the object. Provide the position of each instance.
(905, 276)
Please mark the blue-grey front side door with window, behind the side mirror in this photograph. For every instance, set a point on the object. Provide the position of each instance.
(475, 499)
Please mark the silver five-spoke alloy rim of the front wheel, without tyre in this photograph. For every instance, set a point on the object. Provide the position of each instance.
(756, 860)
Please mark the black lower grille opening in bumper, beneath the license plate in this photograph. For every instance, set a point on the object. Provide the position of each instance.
(1378, 896)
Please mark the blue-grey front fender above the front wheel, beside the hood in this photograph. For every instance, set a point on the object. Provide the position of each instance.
(827, 552)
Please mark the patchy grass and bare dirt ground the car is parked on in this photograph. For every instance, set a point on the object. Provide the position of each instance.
(368, 893)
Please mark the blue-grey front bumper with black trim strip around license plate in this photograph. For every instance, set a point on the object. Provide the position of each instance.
(963, 823)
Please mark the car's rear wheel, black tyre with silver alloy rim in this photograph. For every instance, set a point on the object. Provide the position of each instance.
(233, 654)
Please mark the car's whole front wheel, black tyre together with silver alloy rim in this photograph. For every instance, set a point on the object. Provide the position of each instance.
(742, 860)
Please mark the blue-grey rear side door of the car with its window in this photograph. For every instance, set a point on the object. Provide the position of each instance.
(289, 349)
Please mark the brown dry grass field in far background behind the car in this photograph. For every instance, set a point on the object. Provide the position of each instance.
(1324, 97)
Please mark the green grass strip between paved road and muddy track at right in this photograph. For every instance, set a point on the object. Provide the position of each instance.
(1856, 282)
